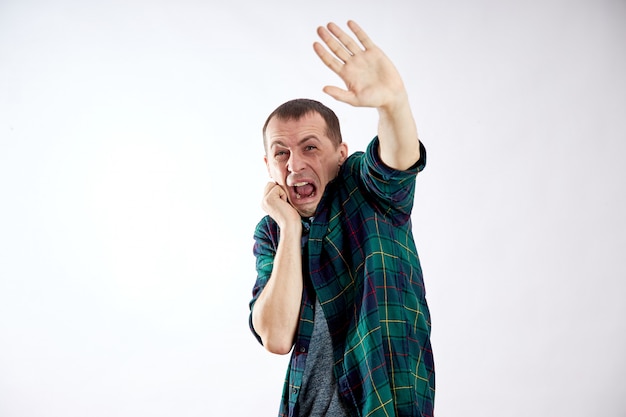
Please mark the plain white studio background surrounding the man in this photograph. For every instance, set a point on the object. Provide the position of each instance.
(131, 173)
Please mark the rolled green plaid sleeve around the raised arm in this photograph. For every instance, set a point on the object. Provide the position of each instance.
(391, 191)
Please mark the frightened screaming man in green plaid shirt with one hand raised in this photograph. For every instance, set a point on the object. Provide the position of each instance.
(339, 279)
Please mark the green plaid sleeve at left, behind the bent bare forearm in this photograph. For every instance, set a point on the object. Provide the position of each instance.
(264, 249)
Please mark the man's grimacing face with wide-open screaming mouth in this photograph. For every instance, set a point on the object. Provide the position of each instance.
(302, 159)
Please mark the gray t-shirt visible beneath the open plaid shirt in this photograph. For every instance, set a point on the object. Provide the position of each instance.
(319, 396)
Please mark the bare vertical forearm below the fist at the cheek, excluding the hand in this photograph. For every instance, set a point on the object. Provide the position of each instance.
(276, 312)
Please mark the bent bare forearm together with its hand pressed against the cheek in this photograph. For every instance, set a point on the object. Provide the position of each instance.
(276, 312)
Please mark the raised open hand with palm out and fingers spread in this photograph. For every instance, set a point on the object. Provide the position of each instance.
(370, 77)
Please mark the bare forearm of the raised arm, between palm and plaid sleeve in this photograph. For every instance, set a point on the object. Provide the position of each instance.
(397, 134)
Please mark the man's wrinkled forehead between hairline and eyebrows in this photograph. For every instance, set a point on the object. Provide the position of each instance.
(311, 124)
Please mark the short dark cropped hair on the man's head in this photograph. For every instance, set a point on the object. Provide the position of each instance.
(300, 107)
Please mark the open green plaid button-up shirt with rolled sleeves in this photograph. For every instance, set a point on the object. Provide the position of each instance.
(364, 268)
